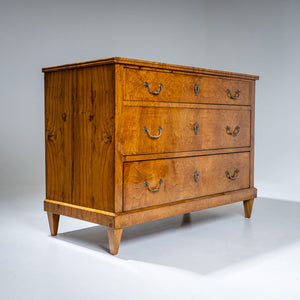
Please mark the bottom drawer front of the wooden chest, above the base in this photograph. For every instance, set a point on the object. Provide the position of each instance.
(156, 182)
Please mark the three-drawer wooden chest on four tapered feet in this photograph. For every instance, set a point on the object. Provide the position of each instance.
(131, 141)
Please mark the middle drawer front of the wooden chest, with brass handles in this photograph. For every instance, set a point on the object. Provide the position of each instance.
(161, 129)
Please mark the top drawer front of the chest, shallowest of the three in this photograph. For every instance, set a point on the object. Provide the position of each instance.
(170, 87)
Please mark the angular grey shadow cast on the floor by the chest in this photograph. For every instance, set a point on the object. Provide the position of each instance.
(208, 241)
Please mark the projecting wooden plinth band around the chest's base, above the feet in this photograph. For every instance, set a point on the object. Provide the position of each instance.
(123, 219)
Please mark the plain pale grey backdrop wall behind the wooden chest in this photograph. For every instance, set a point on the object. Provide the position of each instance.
(256, 37)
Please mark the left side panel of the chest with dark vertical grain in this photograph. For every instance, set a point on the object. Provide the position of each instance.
(79, 129)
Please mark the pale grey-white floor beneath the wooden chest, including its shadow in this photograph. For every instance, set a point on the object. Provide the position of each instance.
(216, 254)
